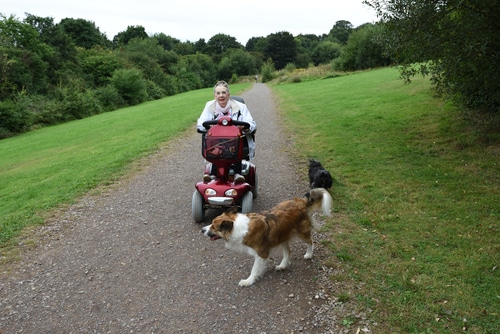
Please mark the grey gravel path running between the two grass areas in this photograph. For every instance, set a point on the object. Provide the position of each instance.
(131, 260)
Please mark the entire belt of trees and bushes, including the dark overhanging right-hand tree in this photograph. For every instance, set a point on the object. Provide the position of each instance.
(55, 72)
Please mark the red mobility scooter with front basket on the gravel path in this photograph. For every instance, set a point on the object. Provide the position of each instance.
(224, 148)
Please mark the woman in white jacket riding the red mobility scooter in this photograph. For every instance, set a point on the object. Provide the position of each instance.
(224, 105)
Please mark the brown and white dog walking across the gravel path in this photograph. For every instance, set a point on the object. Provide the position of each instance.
(257, 234)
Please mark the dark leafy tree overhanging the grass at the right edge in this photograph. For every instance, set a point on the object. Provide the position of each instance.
(455, 41)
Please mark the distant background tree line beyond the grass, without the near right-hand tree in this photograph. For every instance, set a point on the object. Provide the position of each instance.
(52, 72)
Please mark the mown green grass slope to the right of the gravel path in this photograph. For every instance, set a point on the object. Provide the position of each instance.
(416, 196)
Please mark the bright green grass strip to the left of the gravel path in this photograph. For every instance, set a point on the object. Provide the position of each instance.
(43, 169)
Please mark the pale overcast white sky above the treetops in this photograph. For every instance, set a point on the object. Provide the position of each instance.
(191, 20)
